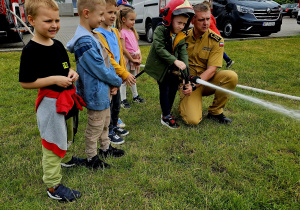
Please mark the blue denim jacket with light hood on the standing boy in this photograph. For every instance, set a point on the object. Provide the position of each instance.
(95, 78)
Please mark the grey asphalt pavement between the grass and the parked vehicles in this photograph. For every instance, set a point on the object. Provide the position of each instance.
(69, 24)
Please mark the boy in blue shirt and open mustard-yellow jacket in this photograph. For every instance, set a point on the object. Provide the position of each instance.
(111, 40)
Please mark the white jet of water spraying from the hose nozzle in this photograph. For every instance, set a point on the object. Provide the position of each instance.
(276, 107)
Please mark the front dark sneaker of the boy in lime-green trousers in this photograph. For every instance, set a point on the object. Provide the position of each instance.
(63, 193)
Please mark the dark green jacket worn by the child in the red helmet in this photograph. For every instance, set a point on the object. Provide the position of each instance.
(163, 54)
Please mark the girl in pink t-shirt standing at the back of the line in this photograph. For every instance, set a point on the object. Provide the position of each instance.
(125, 24)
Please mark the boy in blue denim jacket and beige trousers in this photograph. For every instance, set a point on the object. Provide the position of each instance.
(97, 82)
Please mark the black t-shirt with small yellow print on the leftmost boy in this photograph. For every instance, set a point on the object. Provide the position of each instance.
(40, 61)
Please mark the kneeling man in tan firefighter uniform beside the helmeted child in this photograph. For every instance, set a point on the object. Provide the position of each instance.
(205, 49)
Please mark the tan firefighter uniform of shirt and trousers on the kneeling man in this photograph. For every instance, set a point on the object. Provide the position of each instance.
(206, 51)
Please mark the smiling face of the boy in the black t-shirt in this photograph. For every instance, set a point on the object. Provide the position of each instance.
(46, 23)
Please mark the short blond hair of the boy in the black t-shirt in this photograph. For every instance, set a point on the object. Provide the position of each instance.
(31, 6)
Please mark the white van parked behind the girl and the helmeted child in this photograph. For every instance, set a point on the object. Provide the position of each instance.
(147, 18)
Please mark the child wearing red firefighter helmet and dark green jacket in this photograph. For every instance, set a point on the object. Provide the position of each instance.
(167, 53)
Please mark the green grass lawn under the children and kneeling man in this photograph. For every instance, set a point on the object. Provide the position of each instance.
(251, 164)
